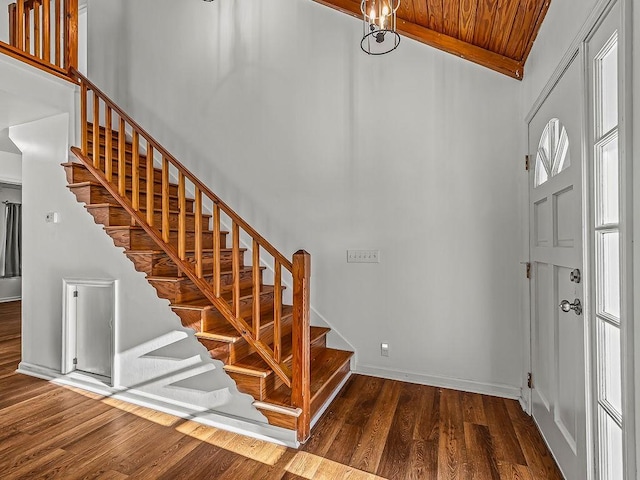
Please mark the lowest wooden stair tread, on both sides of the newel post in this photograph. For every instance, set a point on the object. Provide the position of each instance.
(323, 368)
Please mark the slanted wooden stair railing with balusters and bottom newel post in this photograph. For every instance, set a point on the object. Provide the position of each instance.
(174, 243)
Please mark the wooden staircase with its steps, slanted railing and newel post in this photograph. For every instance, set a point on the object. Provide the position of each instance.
(250, 313)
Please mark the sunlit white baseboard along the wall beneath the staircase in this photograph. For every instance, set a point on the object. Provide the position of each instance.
(261, 431)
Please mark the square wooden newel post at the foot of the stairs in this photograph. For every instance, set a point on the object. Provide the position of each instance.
(301, 368)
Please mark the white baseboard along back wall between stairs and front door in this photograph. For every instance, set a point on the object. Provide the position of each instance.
(493, 389)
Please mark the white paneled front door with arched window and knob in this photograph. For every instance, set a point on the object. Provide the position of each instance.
(557, 322)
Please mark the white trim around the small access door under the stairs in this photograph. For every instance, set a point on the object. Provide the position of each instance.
(69, 323)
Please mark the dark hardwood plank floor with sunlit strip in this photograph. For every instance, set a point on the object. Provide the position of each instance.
(375, 429)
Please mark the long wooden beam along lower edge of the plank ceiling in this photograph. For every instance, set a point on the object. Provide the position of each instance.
(481, 56)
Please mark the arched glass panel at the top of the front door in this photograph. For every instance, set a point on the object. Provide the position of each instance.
(553, 152)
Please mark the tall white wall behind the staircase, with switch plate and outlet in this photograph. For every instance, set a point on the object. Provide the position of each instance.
(319, 146)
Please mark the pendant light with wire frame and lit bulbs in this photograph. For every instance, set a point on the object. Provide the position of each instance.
(379, 36)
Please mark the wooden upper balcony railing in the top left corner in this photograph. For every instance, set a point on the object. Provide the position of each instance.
(44, 33)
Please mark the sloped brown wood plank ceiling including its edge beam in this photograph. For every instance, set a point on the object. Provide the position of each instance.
(497, 34)
